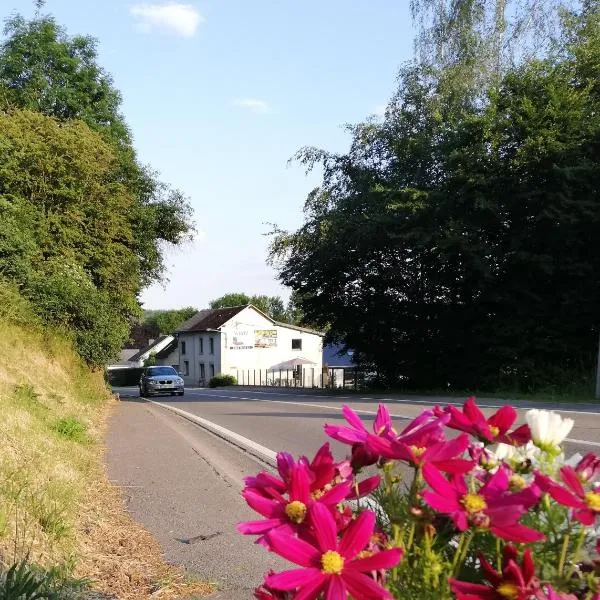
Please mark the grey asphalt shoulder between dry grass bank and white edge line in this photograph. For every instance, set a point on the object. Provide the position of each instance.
(183, 485)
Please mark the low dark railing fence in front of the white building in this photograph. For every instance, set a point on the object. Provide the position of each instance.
(347, 378)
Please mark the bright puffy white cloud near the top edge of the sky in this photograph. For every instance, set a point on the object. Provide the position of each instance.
(173, 17)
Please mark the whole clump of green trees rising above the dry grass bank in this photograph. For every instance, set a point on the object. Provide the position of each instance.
(82, 224)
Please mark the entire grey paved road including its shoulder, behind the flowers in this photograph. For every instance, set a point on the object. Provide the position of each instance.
(182, 482)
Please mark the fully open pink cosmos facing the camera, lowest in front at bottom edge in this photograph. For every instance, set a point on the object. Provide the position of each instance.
(336, 567)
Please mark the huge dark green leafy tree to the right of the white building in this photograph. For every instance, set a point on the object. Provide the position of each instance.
(470, 253)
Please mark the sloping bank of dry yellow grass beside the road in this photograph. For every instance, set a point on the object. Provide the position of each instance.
(56, 504)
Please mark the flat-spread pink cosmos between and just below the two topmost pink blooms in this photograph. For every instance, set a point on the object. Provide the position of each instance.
(443, 455)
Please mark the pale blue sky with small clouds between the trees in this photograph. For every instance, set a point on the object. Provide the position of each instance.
(220, 94)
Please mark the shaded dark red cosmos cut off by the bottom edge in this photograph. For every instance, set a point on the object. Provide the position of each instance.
(515, 582)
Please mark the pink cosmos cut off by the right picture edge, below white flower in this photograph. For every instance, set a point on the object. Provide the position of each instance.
(586, 504)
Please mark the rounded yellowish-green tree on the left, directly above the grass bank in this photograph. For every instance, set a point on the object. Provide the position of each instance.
(64, 233)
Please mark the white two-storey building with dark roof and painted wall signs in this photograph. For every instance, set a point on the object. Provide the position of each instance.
(244, 342)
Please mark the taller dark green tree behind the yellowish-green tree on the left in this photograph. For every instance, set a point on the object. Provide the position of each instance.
(44, 70)
